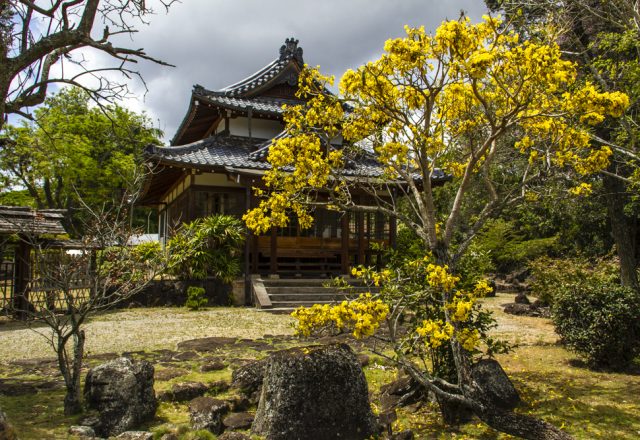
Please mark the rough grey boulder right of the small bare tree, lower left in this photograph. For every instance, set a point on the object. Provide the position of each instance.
(122, 392)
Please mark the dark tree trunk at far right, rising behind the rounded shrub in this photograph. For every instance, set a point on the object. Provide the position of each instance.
(623, 230)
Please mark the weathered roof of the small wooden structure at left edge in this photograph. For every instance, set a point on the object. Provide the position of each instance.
(28, 221)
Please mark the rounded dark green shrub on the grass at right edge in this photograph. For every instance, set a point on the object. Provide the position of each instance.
(600, 321)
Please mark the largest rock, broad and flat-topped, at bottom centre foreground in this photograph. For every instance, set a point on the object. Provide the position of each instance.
(315, 393)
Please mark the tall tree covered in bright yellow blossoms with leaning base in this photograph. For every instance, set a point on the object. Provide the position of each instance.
(447, 102)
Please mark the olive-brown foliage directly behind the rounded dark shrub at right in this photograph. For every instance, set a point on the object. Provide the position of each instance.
(550, 275)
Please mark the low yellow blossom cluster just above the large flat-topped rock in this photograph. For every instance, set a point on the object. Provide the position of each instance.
(363, 316)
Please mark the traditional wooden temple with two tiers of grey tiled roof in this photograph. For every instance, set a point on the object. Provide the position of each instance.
(219, 153)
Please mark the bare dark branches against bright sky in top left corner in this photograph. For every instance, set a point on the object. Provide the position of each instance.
(43, 42)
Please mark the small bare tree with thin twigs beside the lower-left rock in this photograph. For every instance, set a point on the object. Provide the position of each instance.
(65, 290)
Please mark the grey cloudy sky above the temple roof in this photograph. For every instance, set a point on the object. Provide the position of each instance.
(218, 42)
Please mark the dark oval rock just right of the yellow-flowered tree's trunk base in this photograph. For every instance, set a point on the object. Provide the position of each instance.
(495, 384)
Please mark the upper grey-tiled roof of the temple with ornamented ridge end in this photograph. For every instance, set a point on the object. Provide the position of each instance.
(262, 94)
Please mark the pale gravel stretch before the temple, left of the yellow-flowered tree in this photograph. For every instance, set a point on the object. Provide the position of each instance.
(146, 329)
